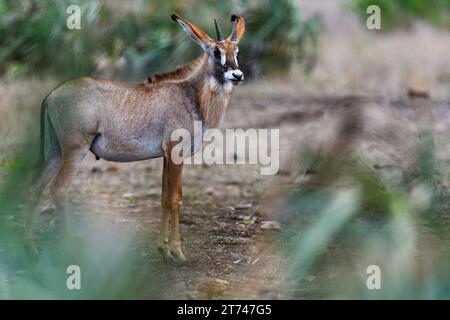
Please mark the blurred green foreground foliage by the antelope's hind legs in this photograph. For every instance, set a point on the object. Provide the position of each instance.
(105, 255)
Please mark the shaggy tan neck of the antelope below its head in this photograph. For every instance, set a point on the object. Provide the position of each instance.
(213, 96)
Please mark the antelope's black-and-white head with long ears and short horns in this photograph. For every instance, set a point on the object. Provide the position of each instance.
(223, 54)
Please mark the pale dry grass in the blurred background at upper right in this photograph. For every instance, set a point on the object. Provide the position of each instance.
(353, 59)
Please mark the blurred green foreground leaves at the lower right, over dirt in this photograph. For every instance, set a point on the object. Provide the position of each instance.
(335, 230)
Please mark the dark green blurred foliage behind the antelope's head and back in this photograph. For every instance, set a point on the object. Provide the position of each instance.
(34, 37)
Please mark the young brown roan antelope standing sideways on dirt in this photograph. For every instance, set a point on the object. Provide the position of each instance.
(131, 122)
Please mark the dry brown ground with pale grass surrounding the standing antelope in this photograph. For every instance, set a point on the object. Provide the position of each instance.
(233, 251)
